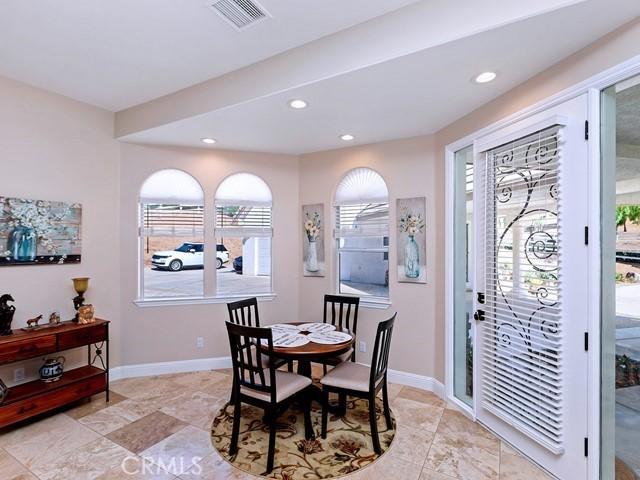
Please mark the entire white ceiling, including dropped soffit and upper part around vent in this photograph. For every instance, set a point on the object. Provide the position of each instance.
(363, 69)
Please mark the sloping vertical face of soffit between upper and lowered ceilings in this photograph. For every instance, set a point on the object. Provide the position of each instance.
(417, 27)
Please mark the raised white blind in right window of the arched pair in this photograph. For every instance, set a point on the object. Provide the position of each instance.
(243, 221)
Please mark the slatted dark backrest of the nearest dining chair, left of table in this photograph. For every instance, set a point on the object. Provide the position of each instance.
(246, 356)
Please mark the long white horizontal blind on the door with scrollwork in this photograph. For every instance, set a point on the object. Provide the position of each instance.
(522, 333)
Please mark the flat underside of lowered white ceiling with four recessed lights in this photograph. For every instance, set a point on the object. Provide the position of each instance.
(410, 95)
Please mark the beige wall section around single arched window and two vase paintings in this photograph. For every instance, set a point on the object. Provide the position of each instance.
(408, 167)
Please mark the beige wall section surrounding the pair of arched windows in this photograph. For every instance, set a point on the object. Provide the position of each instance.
(168, 333)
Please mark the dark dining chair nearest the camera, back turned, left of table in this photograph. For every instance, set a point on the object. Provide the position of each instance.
(263, 387)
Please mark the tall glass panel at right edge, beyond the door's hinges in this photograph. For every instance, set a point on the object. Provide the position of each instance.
(621, 280)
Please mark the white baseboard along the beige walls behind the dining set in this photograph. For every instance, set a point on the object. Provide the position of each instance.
(182, 366)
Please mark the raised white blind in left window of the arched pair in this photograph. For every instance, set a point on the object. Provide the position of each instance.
(172, 220)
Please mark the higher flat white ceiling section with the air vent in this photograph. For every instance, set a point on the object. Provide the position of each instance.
(119, 53)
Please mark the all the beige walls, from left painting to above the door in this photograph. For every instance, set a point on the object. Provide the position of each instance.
(55, 148)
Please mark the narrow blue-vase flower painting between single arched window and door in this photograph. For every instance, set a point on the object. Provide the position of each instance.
(412, 243)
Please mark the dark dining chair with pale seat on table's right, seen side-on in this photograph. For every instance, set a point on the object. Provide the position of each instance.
(357, 380)
